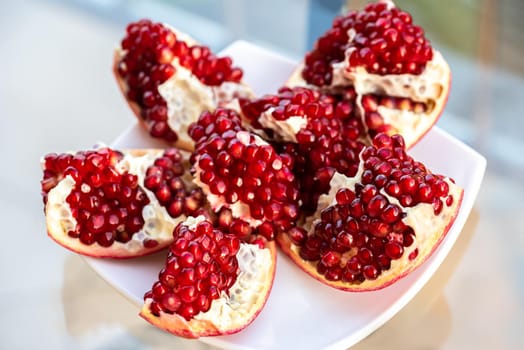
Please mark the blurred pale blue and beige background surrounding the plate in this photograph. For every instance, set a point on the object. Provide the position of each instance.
(57, 93)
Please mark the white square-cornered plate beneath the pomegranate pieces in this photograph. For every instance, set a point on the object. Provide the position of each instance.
(302, 313)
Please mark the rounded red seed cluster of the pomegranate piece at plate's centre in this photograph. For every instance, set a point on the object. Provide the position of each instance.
(252, 174)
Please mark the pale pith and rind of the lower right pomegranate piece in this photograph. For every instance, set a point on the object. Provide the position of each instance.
(429, 230)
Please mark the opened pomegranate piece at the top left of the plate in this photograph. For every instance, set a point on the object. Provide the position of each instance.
(169, 79)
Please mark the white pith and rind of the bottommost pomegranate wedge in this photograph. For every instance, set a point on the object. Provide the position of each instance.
(235, 308)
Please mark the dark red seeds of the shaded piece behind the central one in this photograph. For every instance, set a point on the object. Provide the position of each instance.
(329, 141)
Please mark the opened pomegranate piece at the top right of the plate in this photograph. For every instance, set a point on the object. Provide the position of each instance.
(401, 82)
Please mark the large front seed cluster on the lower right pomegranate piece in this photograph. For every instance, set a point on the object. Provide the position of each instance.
(358, 237)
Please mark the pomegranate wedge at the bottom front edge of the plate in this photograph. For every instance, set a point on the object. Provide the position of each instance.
(212, 283)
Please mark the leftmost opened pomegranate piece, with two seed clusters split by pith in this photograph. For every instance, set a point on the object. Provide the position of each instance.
(108, 203)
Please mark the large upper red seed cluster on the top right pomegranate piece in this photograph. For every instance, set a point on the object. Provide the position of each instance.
(385, 41)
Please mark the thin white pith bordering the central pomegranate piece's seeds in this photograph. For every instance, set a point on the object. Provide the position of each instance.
(239, 209)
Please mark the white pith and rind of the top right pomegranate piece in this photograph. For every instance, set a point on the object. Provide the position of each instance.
(431, 87)
